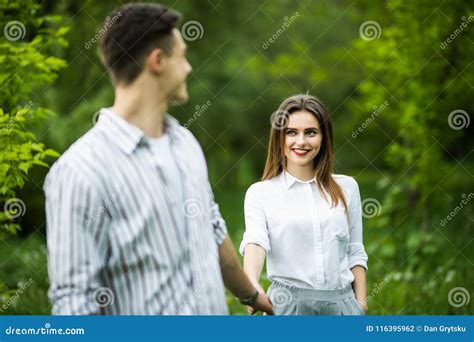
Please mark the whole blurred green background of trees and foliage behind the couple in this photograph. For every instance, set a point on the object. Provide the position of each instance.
(397, 77)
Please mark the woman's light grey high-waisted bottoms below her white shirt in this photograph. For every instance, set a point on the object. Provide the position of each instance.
(290, 300)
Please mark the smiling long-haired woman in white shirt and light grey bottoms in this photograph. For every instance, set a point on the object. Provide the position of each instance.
(305, 220)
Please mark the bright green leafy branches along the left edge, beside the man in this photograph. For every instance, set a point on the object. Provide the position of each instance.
(25, 67)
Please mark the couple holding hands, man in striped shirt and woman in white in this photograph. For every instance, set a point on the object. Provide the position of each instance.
(132, 226)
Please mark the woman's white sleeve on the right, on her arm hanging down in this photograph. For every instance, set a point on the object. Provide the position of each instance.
(356, 250)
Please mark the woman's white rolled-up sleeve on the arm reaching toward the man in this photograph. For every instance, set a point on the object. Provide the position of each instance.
(256, 229)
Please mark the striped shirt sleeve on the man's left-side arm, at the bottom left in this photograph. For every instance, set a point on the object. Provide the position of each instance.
(74, 218)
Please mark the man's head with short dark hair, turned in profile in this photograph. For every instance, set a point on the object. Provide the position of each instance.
(142, 44)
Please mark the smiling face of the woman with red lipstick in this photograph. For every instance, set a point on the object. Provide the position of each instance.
(303, 139)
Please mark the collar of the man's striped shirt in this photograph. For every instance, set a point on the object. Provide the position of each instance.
(126, 135)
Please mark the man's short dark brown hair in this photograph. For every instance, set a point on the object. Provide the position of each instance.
(130, 33)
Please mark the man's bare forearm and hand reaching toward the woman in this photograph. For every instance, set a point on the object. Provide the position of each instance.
(236, 280)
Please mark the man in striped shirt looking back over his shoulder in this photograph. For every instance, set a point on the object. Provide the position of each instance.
(131, 221)
